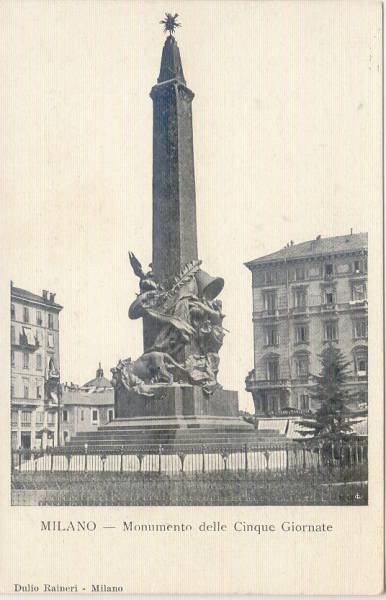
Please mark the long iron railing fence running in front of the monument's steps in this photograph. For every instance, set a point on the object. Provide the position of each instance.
(297, 456)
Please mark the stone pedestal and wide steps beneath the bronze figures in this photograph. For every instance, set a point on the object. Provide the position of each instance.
(176, 415)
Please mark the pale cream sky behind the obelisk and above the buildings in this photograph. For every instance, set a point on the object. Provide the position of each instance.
(286, 121)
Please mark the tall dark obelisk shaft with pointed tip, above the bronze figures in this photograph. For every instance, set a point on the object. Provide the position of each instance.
(174, 195)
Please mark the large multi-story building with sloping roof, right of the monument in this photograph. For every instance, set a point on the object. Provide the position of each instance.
(306, 296)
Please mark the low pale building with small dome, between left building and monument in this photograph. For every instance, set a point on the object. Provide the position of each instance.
(86, 407)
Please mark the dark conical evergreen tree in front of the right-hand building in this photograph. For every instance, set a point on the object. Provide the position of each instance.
(332, 419)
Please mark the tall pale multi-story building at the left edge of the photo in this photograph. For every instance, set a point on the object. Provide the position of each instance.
(35, 368)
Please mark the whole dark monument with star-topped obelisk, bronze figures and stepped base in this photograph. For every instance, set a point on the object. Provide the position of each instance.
(171, 391)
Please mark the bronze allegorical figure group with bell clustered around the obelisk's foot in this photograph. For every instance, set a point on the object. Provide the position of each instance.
(188, 321)
